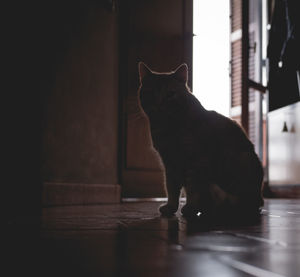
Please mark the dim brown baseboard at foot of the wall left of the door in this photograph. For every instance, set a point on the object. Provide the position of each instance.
(57, 194)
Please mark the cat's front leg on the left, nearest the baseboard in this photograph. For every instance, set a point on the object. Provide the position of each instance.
(173, 188)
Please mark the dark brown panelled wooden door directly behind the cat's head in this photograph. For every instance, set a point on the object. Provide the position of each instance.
(159, 33)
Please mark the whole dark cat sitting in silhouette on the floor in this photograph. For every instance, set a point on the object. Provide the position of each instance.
(206, 153)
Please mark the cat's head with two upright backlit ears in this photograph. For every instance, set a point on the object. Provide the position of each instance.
(163, 94)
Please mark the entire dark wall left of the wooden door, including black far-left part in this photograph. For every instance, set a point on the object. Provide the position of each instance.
(61, 104)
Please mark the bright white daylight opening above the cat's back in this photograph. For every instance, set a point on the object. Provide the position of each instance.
(211, 54)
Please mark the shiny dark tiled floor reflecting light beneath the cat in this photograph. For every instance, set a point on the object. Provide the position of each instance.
(131, 239)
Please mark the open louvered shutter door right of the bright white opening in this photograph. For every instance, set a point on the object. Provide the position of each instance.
(244, 99)
